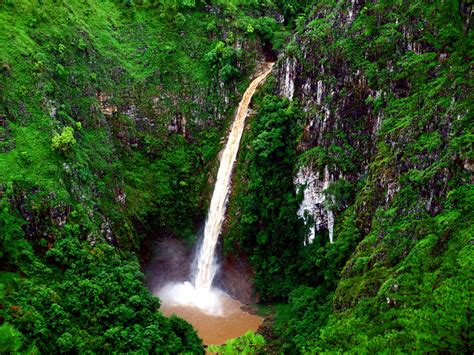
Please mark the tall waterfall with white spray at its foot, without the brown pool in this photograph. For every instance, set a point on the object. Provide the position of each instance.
(199, 293)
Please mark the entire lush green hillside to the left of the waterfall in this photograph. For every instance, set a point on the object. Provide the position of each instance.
(111, 116)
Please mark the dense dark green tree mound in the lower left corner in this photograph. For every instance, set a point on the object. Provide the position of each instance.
(90, 298)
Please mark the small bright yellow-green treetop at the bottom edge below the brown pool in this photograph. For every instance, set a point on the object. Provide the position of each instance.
(249, 343)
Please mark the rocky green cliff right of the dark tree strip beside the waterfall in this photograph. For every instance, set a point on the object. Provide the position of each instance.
(386, 92)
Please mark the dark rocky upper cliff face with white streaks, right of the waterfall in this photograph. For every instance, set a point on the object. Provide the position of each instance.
(360, 72)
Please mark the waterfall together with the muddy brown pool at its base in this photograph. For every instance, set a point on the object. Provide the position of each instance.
(216, 316)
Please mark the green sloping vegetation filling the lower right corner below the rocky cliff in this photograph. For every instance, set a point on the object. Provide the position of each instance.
(424, 302)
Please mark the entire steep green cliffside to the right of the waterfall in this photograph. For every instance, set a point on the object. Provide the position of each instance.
(384, 173)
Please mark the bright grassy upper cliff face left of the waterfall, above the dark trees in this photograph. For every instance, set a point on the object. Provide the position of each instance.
(136, 85)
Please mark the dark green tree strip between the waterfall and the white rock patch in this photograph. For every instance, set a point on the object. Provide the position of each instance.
(263, 213)
